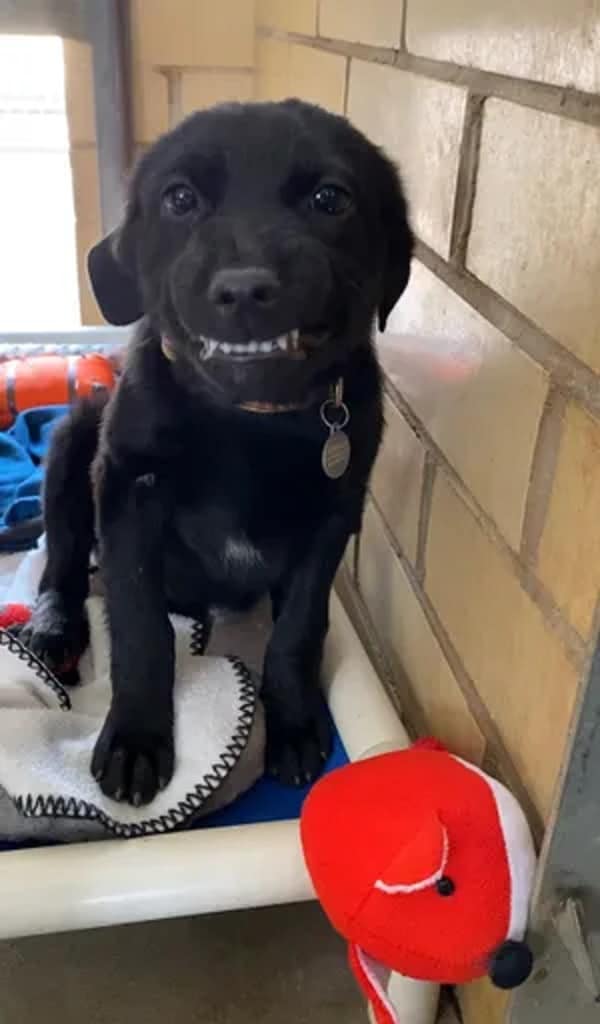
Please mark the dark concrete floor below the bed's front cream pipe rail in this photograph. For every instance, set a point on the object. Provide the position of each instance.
(279, 966)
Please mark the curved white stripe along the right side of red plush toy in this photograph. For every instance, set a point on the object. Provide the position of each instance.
(520, 851)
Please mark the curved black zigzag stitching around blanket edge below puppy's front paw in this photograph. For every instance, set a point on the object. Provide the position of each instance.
(177, 818)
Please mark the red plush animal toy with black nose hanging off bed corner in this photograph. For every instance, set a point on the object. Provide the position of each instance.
(425, 865)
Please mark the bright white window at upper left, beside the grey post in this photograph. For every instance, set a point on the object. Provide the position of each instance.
(39, 287)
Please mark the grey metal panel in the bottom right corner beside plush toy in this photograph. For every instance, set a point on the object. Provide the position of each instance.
(558, 994)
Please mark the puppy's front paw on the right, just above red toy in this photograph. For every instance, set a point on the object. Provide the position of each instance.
(296, 755)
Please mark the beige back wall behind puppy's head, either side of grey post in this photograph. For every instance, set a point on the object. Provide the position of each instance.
(186, 55)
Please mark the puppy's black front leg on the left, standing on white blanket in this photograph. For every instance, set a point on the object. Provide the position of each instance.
(135, 754)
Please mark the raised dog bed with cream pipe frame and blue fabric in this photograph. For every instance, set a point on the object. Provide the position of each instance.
(247, 856)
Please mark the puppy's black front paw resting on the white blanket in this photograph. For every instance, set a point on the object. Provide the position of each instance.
(133, 764)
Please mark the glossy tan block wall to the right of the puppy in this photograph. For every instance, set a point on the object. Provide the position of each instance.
(476, 581)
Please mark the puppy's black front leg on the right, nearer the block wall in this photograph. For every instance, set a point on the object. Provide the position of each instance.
(298, 726)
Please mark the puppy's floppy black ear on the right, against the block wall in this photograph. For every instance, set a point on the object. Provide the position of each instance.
(398, 239)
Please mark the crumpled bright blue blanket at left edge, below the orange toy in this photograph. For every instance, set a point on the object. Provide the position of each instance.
(22, 452)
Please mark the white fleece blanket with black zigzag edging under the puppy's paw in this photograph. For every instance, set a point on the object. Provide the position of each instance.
(48, 735)
